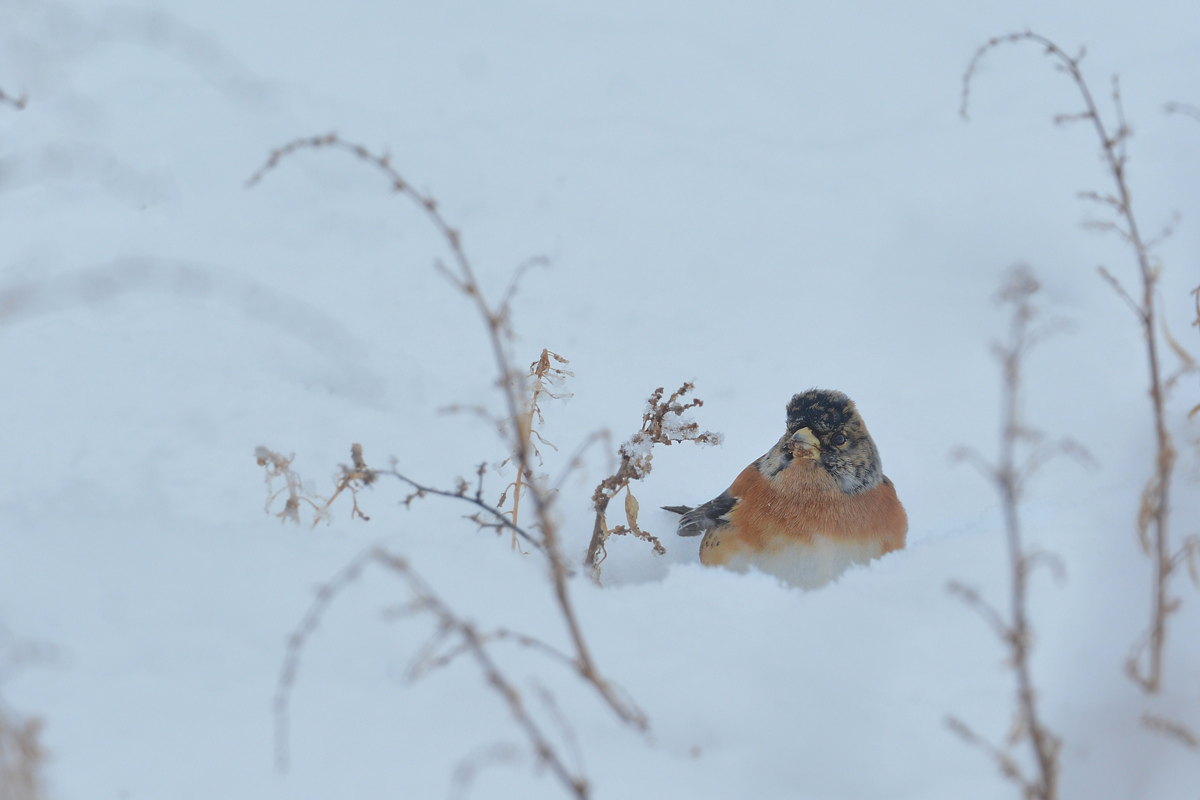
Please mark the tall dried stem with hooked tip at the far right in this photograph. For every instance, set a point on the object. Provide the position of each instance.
(1154, 516)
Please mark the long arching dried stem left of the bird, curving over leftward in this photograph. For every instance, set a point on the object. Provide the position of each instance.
(499, 332)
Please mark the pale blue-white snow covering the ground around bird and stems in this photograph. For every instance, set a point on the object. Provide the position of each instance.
(758, 197)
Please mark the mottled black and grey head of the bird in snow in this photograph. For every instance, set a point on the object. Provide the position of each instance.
(843, 447)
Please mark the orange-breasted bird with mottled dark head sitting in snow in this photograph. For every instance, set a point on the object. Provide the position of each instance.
(813, 507)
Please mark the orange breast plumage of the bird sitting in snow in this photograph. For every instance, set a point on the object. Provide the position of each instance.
(800, 507)
